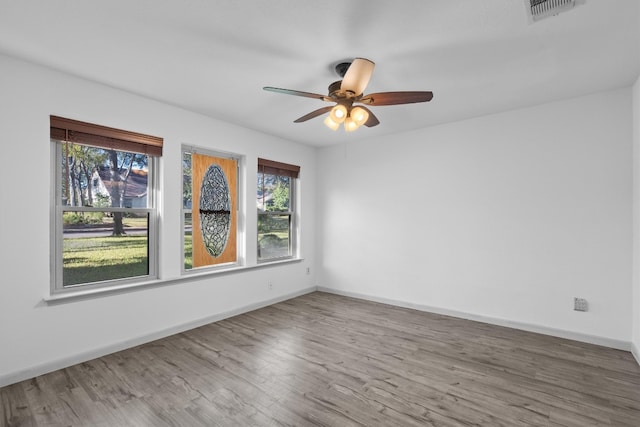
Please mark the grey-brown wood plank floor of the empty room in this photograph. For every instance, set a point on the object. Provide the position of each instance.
(328, 360)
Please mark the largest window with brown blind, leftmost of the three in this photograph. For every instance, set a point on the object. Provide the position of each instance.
(105, 214)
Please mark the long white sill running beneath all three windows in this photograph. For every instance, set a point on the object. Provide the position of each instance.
(96, 292)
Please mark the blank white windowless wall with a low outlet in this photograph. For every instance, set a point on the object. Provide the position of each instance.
(504, 218)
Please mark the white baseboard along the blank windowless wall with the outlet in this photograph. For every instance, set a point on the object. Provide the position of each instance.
(576, 336)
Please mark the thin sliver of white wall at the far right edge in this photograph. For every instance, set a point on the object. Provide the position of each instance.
(636, 222)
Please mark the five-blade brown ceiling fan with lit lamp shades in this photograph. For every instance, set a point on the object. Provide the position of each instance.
(349, 91)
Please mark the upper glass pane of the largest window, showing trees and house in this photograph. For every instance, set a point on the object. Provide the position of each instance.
(97, 177)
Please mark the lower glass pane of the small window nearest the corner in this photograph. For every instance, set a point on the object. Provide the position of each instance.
(274, 237)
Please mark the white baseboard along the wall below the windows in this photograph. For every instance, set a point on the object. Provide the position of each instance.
(65, 362)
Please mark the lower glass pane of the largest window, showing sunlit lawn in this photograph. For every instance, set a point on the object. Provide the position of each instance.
(100, 246)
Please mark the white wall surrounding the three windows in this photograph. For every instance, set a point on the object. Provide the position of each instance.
(35, 336)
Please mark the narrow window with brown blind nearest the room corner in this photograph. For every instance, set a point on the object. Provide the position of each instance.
(276, 213)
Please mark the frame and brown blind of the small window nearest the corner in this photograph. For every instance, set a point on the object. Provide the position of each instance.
(278, 169)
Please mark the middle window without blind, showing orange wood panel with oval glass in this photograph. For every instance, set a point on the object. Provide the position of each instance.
(209, 209)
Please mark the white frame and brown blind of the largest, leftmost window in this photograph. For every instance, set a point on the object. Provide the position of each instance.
(105, 138)
